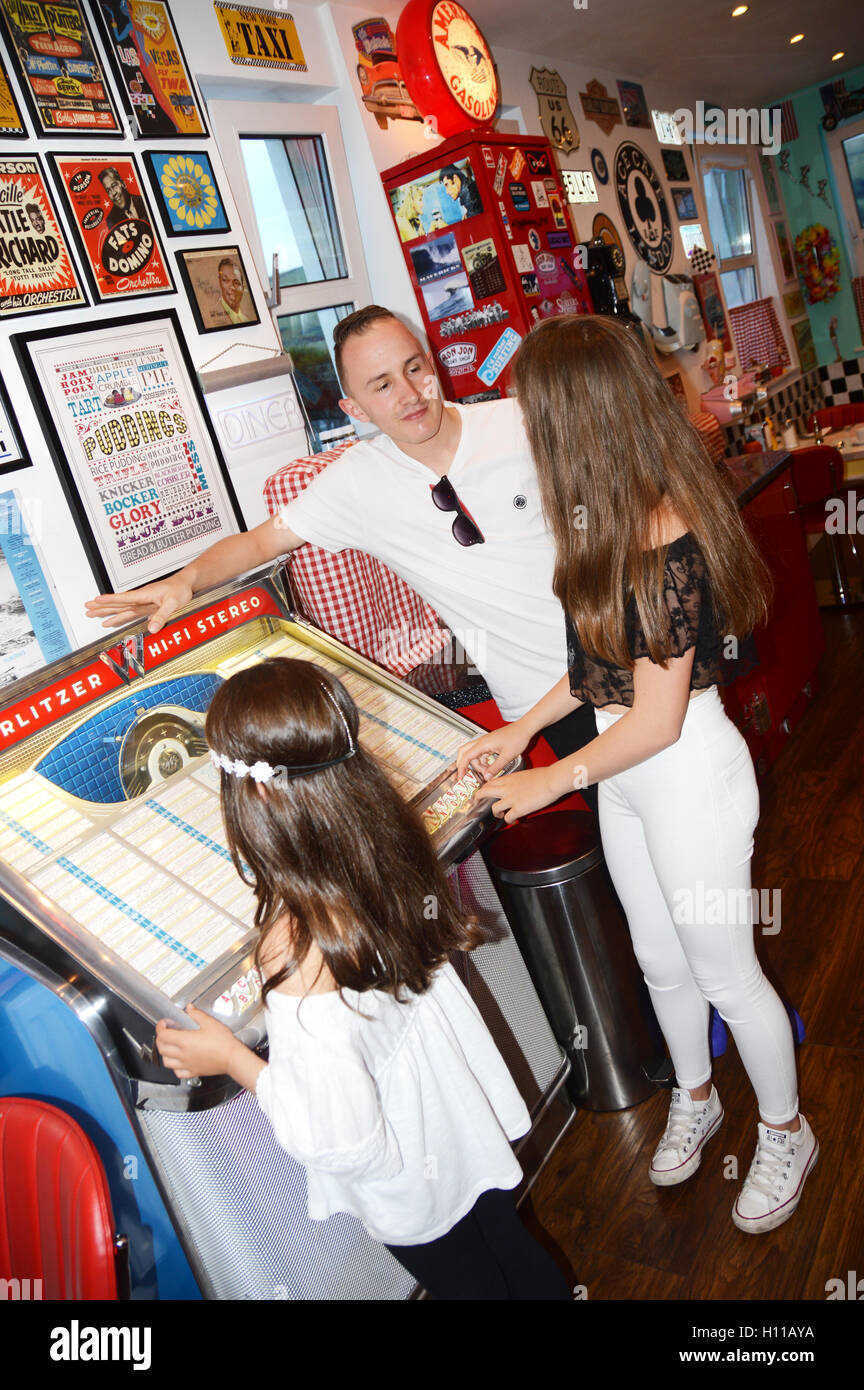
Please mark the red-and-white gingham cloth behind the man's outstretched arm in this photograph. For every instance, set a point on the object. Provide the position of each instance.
(352, 596)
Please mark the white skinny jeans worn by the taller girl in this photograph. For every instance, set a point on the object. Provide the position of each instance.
(679, 839)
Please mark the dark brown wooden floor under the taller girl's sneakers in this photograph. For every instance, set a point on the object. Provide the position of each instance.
(599, 1213)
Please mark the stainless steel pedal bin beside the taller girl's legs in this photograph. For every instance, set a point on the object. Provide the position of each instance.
(555, 888)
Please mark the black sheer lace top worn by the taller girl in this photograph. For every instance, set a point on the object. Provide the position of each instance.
(691, 622)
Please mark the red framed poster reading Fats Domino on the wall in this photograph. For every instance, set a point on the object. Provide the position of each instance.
(115, 224)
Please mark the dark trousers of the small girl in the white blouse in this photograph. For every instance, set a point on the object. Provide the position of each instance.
(488, 1254)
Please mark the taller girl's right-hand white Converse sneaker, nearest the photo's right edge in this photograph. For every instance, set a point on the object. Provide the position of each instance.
(774, 1185)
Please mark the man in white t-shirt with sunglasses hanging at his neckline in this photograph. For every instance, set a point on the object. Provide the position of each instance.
(485, 565)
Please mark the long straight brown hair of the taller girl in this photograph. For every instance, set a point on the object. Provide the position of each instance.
(608, 436)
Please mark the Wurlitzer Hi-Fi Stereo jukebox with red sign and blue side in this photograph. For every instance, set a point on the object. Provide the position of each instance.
(120, 906)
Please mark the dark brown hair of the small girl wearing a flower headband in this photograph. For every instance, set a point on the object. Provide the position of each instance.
(337, 851)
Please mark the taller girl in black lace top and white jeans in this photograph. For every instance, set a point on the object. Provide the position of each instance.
(661, 583)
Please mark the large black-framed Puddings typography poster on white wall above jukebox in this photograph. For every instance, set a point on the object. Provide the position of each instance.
(133, 443)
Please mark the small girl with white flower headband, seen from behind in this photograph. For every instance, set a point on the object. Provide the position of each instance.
(383, 1078)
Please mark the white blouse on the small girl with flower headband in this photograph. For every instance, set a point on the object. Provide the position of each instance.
(402, 1114)
